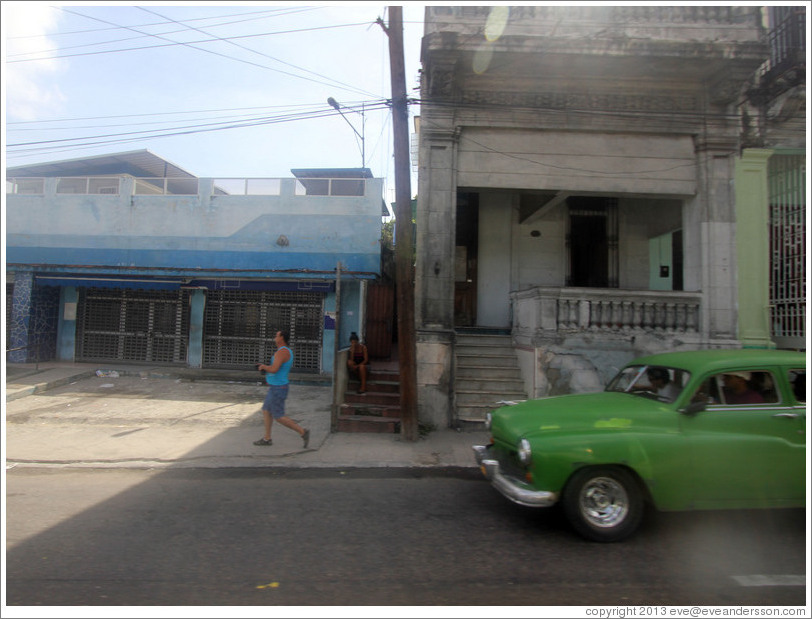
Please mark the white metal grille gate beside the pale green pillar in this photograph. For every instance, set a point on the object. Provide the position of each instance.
(787, 182)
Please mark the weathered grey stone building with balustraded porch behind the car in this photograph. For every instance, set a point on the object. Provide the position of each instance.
(577, 193)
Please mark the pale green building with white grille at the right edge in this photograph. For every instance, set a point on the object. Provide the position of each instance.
(771, 186)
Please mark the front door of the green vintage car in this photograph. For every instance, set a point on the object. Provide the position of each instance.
(747, 452)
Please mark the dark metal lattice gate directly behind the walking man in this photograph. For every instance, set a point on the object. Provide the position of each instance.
(239, 328)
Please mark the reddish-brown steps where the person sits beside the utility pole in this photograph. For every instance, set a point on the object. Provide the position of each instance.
(378, 410)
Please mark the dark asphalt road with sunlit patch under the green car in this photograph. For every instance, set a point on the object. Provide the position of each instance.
(239, 537)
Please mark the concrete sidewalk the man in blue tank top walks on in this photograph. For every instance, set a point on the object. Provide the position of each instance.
(65, 415)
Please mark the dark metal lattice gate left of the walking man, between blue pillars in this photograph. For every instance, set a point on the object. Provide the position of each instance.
(139, 326)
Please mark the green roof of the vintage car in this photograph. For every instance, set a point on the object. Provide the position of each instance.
(710, 360)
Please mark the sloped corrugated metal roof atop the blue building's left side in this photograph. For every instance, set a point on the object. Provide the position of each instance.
(139, 163)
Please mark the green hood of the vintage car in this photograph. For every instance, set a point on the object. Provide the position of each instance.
(571, 413)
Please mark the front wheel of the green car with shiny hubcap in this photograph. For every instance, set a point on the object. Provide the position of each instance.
(603, 504)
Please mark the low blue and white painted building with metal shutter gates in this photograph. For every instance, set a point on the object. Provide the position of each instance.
(129, 258)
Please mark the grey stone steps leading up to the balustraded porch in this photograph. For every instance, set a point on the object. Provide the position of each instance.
(486, 371)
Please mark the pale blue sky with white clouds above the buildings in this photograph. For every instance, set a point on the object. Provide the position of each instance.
(223, 90)
